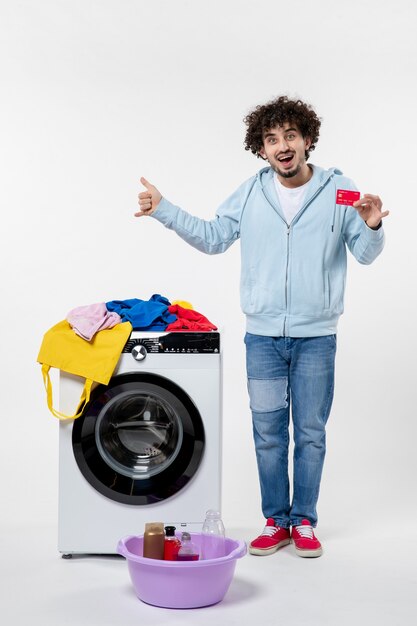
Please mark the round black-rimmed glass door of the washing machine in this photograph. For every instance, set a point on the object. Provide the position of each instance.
(140, 439)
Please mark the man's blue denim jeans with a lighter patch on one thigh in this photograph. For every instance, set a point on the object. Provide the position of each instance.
(284, 371)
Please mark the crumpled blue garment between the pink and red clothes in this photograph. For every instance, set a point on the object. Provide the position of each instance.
(145, 315)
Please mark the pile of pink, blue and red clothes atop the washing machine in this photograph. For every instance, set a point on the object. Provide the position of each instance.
(155, 314)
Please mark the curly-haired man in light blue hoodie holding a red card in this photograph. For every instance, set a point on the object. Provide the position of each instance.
(294, 221)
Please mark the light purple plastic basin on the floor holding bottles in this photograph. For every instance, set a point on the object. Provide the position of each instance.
(180, 585)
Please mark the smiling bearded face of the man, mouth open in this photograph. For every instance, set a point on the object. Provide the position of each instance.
(284, 148)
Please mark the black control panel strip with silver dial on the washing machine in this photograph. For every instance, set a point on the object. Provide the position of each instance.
(174, 343)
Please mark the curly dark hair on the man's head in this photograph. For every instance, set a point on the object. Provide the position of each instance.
(276, 113)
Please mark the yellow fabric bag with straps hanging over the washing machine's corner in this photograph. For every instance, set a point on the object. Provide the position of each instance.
(93, 360)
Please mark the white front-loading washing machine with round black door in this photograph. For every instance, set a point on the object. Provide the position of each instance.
(147, 447)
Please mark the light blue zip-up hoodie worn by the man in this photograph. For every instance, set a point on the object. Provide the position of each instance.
(292, 275)
